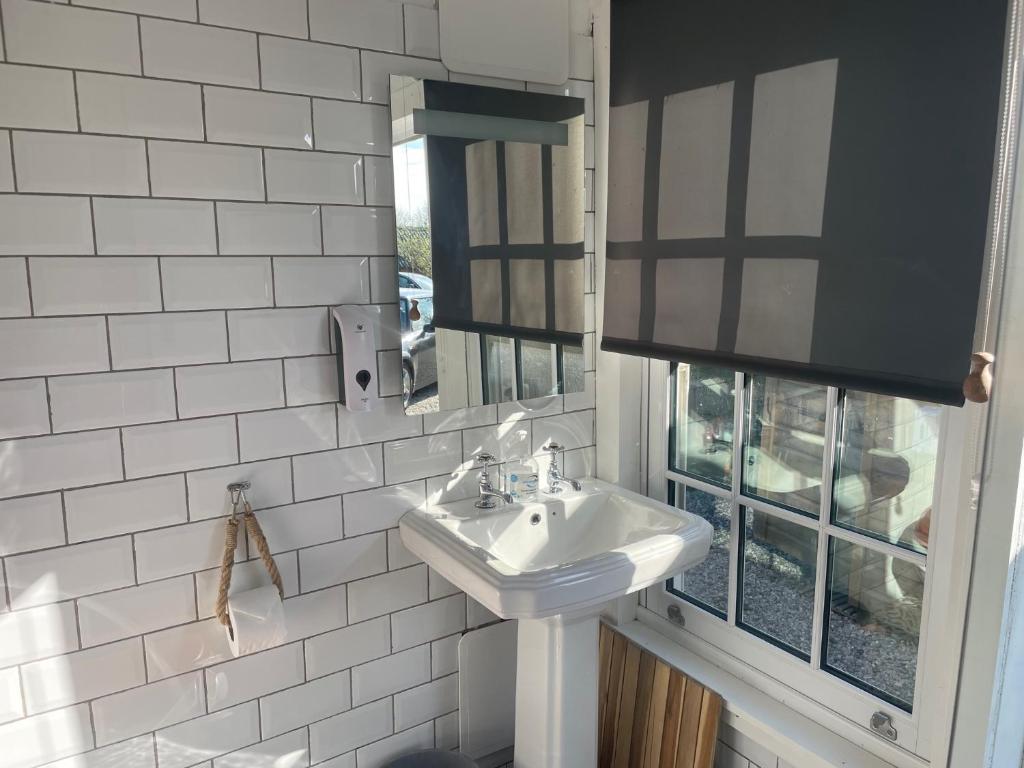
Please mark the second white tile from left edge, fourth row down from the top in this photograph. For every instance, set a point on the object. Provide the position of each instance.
(179, 228)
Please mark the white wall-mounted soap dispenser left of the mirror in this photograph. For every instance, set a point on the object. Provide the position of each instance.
(356, 342)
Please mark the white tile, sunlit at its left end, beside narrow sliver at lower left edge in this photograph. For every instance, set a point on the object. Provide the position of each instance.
(78, 677)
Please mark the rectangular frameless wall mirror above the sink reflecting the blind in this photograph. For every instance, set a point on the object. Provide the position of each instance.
(489, 188)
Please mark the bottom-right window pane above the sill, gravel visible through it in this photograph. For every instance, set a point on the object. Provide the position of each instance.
(874, 621)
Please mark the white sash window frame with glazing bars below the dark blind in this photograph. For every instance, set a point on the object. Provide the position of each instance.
(846, 709)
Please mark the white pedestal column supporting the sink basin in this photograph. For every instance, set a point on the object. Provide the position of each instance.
(557, 693)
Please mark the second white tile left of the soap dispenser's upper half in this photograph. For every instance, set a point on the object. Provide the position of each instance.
(179, 339)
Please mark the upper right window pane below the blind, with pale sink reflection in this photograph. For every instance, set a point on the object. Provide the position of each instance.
(885, 474)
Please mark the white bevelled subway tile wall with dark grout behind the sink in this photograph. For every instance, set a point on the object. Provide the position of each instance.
(186, 188)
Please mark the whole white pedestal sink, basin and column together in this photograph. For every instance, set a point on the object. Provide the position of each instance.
(552, 565)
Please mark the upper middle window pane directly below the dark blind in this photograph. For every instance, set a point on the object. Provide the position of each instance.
(786, 436)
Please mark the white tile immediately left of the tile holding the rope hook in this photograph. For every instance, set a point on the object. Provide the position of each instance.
(125, 507)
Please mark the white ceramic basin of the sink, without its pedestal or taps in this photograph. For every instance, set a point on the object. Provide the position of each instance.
(560, 556)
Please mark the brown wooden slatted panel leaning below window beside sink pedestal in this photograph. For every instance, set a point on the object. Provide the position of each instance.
(651, 715)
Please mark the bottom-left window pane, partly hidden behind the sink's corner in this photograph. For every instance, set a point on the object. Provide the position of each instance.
(708, 583)
